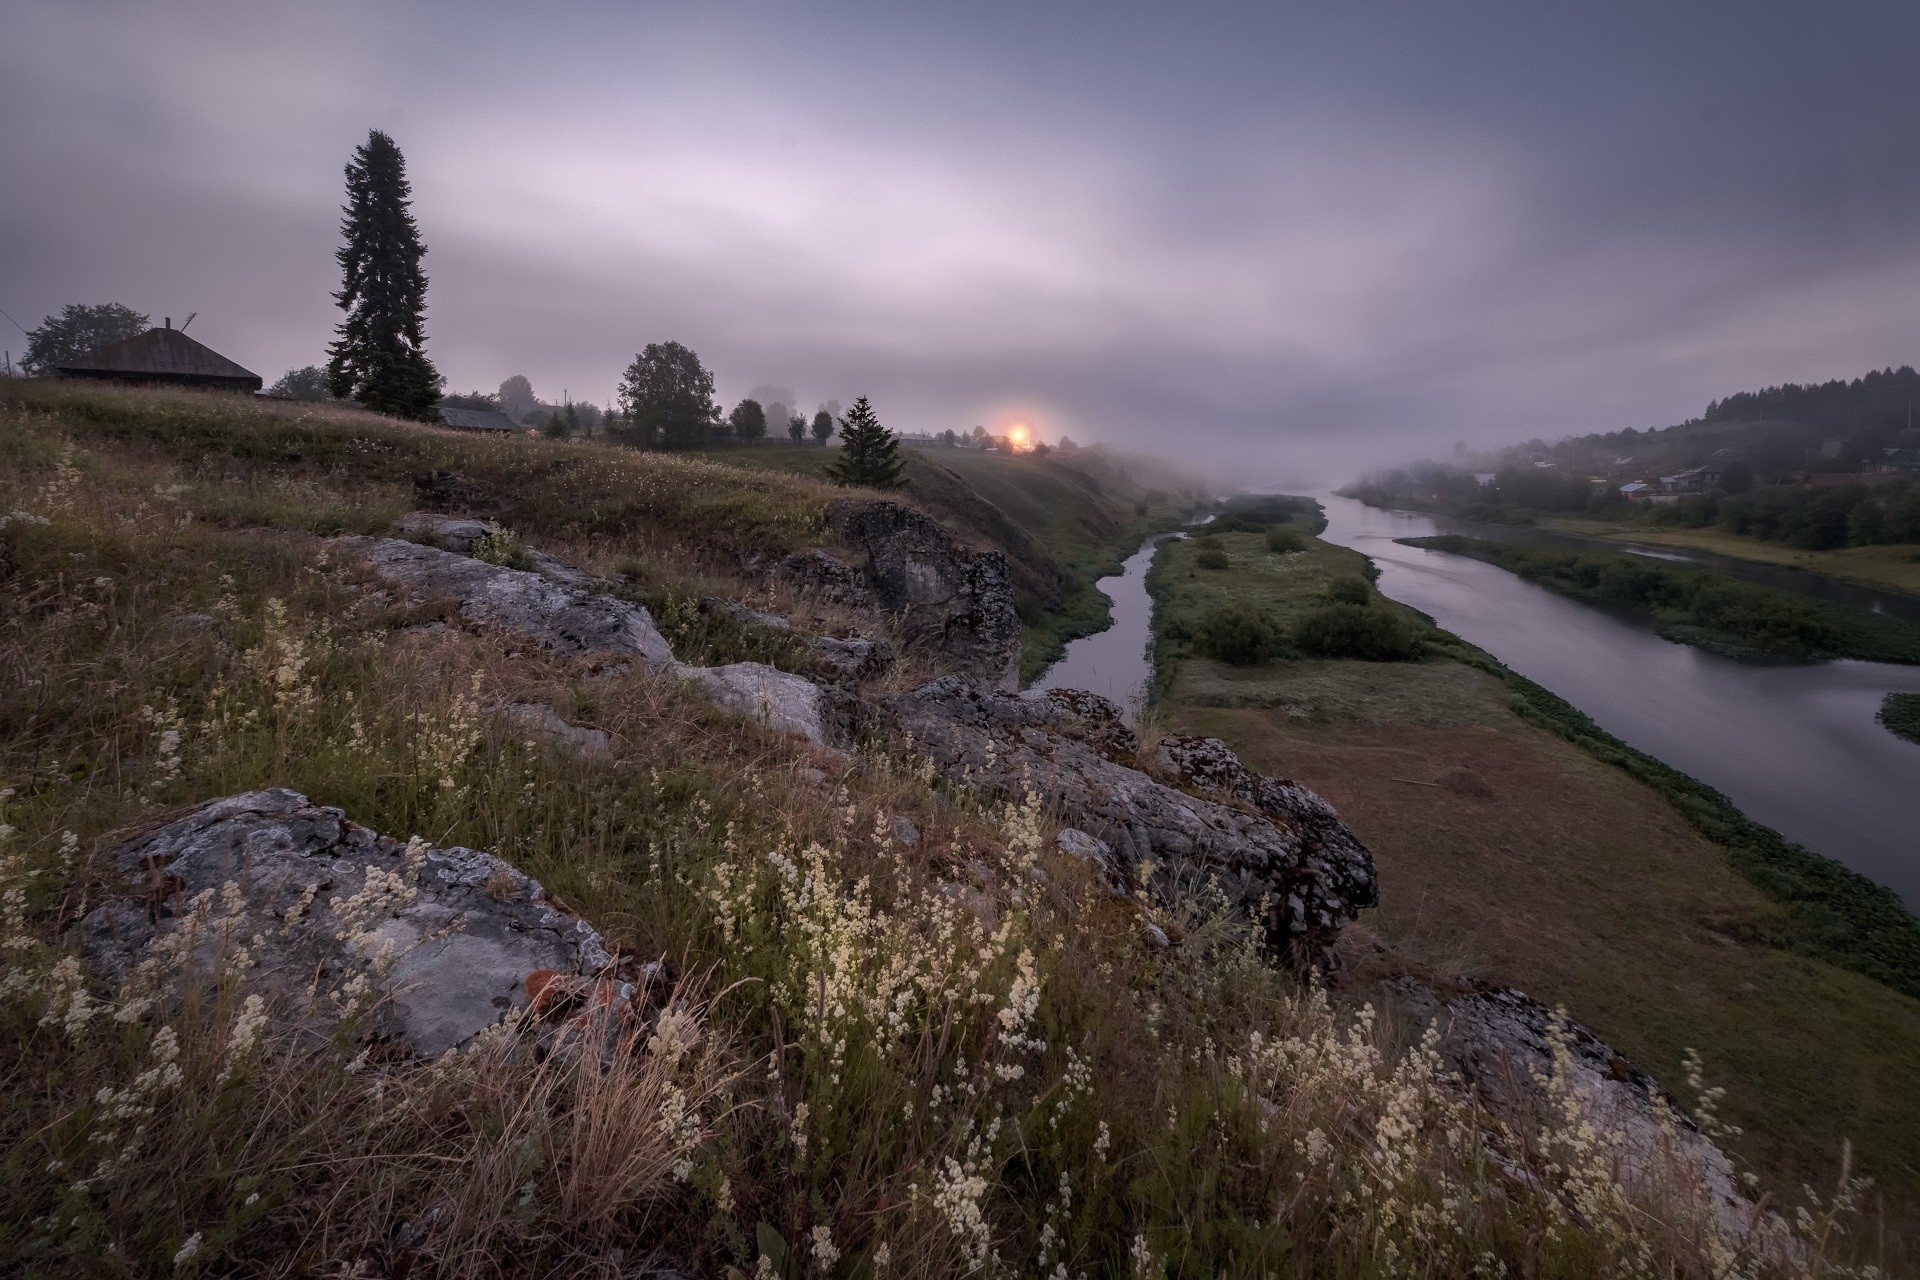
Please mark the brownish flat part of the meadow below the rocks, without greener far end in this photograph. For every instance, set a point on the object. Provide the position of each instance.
(1577, 886)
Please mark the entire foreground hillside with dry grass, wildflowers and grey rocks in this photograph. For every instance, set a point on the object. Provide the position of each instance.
(281, 792)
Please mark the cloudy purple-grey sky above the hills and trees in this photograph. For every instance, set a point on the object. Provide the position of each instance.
(1285, 241)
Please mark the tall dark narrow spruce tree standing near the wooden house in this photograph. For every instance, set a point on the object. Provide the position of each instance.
(381, 354)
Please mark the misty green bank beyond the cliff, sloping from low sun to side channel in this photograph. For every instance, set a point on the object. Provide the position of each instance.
(1065, 519)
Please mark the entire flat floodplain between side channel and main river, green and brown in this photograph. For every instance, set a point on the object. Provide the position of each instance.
(1520, 843)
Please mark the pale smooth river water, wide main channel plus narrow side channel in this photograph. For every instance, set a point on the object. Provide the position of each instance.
(1792, 744)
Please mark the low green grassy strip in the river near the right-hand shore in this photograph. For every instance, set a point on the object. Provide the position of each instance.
(1700, 607)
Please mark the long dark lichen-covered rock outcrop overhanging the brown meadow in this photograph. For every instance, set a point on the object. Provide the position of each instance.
(1285, 861)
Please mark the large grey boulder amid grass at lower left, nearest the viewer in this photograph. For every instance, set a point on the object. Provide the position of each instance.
(431, 947)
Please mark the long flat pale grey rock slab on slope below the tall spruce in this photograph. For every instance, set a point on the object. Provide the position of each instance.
(567, 619)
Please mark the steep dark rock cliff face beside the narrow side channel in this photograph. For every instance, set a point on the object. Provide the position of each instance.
(955, 605)
